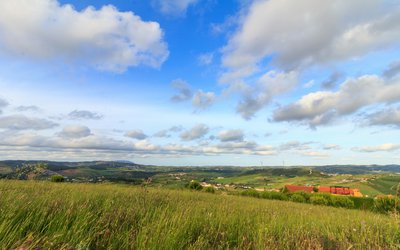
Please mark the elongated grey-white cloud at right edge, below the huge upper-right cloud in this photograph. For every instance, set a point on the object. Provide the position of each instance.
(323, 107)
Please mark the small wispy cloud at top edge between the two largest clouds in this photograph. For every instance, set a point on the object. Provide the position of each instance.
(173, 7)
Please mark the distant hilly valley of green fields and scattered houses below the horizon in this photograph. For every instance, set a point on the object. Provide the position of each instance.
(370, 180)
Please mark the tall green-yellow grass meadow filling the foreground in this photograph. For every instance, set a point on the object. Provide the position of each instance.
(86, 216)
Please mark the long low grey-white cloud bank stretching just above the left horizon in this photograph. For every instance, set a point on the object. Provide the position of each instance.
(97, 145)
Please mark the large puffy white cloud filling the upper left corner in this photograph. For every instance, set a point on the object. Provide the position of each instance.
(106, 38)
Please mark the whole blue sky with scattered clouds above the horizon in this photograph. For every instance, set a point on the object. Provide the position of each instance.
(201, 82)
